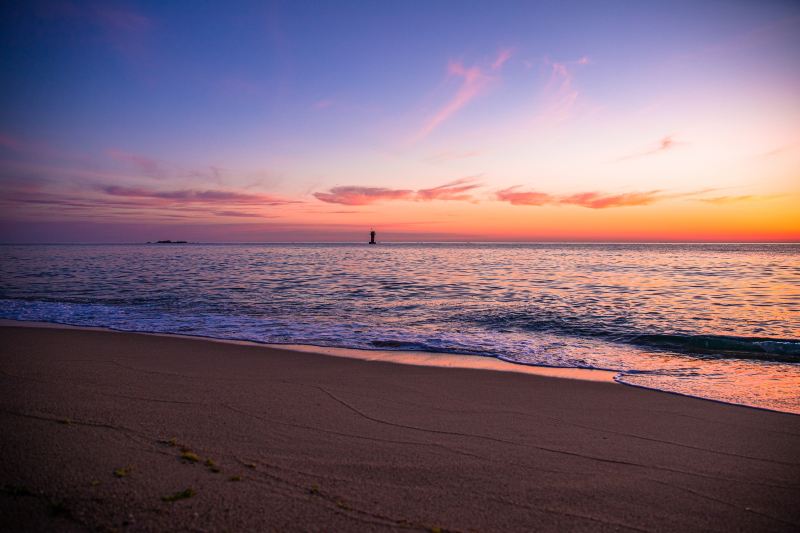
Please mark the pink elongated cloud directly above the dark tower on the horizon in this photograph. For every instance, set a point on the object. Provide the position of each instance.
(458, 190)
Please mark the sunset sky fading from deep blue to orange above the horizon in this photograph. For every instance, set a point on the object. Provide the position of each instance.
(425, 120)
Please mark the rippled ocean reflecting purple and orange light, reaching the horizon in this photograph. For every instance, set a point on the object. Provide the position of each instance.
(716, 321)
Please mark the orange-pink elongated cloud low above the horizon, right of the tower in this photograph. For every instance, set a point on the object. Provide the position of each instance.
(591, 199)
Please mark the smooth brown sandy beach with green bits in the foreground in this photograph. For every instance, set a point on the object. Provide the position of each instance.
(95, 424)
